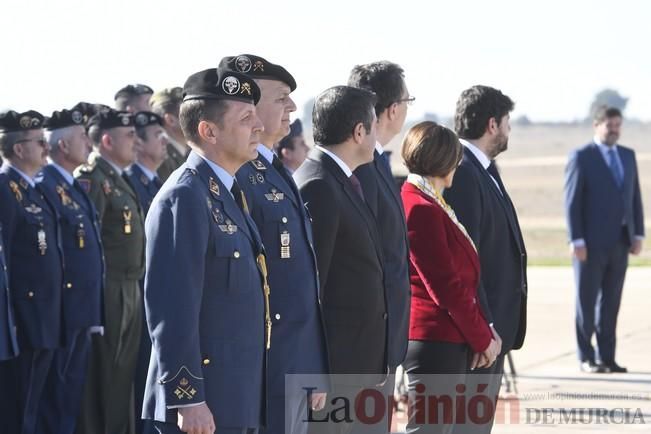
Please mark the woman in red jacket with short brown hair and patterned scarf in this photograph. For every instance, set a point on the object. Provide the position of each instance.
(448, 333)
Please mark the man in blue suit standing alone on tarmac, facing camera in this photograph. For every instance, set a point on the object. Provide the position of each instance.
(606, 223)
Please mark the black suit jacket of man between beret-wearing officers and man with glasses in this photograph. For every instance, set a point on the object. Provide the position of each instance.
(349, 259)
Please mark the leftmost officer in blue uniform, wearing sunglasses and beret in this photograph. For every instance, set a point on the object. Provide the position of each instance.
(34, 260)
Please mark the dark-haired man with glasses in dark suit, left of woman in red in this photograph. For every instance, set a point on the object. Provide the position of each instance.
(386, 80)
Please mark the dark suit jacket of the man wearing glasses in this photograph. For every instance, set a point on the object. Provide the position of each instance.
(385, 203)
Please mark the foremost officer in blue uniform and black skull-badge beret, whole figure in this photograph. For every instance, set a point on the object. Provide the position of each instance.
(205, 286)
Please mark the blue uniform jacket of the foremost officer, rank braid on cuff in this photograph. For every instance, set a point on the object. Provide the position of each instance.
(204, 302)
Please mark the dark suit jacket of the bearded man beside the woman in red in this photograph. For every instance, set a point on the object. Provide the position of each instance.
(492, 223)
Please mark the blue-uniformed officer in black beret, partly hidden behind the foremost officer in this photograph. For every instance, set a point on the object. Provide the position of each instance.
(298, 343)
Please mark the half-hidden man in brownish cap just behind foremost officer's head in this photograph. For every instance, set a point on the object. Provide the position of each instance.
(166, 104)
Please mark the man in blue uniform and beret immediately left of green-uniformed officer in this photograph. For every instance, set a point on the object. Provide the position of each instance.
(83, 270)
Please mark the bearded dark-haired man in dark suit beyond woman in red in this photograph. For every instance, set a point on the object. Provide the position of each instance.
(482, 204)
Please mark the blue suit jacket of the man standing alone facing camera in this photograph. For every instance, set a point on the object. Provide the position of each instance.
(595, 205)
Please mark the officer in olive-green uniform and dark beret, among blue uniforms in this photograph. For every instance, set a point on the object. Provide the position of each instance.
(107, 403)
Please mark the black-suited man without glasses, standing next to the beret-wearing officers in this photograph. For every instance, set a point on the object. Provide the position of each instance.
(347, 243)
